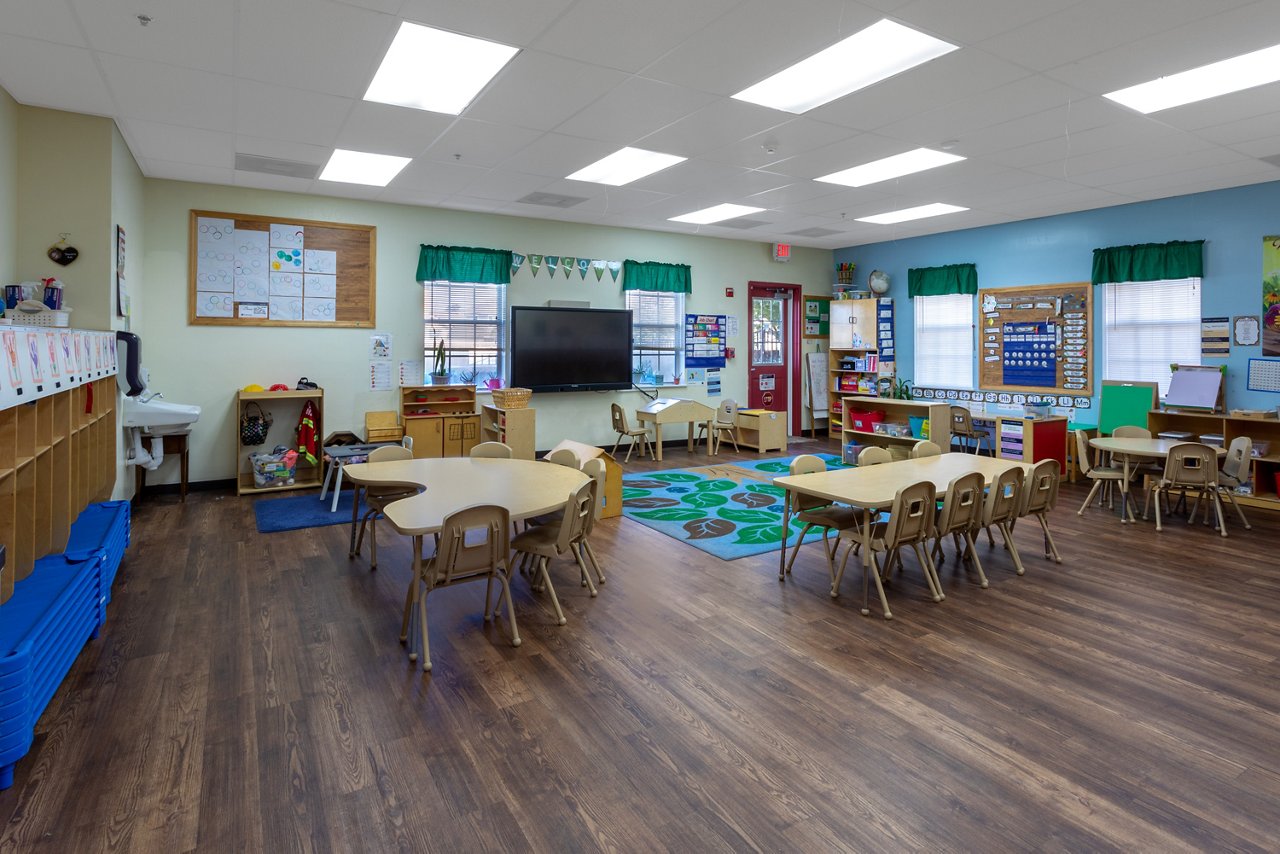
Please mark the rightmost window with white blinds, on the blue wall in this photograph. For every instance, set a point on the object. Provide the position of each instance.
(1150, 326)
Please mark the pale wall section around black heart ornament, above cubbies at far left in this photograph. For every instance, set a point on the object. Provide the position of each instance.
(65, 185)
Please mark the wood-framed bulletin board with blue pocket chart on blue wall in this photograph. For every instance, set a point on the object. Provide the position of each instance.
(1036, 339)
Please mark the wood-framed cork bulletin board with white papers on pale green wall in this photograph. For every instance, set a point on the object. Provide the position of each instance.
(250, 271)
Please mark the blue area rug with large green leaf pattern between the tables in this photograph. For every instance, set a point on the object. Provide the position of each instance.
(730, 512)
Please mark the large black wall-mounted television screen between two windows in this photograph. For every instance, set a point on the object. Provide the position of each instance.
(570, 350)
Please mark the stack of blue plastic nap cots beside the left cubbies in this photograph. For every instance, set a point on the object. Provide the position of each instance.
(52, 615)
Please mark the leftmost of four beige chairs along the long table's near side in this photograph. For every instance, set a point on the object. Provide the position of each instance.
(911, 523)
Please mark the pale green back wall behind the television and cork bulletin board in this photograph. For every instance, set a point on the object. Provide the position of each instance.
(207, 366)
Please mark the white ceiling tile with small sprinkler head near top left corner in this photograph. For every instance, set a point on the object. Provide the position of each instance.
(195, 34)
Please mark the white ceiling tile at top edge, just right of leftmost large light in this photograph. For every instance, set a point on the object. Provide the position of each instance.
(639, 33)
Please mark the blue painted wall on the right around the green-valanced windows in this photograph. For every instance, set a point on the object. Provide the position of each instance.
(1060, 249)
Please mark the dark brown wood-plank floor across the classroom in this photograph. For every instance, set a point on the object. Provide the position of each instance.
(249, 693)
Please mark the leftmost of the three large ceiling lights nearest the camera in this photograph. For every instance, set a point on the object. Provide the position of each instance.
(437, 71)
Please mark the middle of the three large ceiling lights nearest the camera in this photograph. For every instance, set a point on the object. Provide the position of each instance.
(866, 58)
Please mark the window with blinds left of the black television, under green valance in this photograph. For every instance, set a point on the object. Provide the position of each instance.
(469, 318)
